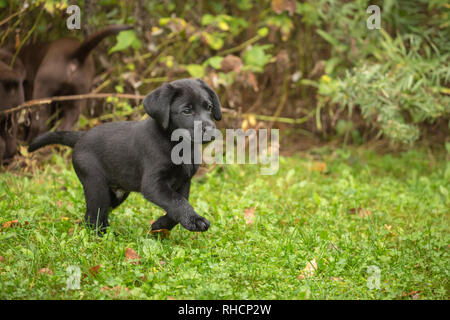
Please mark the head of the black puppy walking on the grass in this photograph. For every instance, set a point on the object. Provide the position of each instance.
(185, 104)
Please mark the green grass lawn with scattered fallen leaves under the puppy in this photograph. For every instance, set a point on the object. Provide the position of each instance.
(301, 214)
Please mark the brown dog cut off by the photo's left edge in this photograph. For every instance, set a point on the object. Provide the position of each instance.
(11, 95)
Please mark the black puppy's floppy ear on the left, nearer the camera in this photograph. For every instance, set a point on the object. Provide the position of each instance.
(157, 104)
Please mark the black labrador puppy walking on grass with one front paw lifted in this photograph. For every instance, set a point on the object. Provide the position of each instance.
(114, 159)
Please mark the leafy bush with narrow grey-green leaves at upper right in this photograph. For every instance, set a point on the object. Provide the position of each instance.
(397, 81)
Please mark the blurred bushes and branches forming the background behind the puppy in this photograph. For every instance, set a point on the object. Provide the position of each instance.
(313, 66)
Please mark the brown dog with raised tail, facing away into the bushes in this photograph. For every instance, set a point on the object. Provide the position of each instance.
(61, 67)
